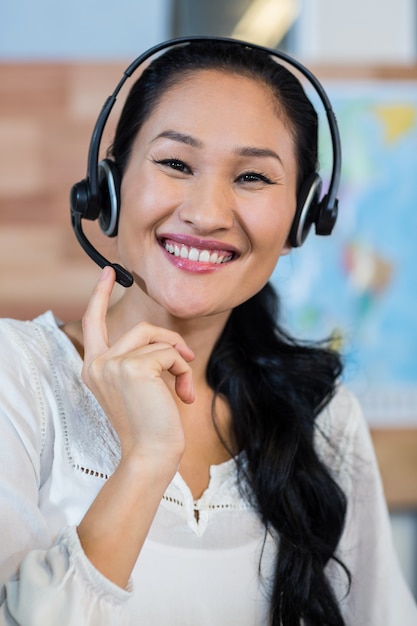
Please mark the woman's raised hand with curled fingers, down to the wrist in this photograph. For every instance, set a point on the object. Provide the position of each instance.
(127, 379)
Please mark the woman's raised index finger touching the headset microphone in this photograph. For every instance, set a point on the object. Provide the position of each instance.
(94, 319)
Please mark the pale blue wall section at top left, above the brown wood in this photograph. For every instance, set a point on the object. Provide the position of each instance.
(47, 29)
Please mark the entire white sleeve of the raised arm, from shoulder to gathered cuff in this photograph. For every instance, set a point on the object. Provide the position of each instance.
(42, 581)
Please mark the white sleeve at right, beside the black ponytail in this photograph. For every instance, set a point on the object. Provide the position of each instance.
(378, 593)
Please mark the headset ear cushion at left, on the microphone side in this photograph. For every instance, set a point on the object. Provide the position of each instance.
(109, 196)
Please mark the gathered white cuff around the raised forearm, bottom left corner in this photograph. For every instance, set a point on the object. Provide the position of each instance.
(60, 586)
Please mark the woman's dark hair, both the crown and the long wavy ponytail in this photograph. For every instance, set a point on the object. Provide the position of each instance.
(275, 386)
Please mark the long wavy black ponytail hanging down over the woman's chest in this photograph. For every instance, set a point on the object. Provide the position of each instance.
(276, 387)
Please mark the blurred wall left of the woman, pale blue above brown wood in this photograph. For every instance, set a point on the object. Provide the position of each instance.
(59, 63)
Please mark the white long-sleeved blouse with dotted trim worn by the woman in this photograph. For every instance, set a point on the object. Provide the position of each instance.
(56, 450)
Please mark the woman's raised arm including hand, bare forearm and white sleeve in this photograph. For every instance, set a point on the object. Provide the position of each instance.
(85, 580)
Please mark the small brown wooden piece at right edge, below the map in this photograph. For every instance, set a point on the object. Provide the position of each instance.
(396, 450)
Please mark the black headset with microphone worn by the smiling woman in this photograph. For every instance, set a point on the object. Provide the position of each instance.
(98, 195)
